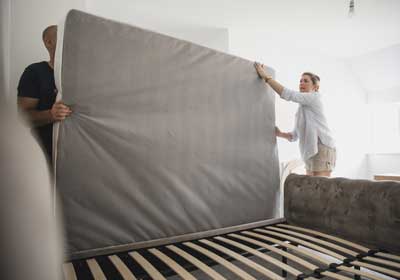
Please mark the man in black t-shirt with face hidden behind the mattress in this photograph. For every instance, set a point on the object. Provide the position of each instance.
(37, 94)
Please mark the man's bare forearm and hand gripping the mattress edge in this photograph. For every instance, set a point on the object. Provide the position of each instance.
(28, 105)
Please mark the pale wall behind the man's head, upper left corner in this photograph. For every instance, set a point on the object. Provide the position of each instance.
(28, 20)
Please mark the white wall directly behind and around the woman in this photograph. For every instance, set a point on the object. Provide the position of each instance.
(344, 98)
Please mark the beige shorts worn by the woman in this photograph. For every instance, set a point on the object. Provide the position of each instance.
(324, 160)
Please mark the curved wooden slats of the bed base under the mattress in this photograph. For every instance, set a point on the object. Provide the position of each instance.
(278, 251)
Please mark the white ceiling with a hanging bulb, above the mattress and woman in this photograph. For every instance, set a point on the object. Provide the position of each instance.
(316, 24)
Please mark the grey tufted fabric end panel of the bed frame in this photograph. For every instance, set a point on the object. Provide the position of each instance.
(367, 212)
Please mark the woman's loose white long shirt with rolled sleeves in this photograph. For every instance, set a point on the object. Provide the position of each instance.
(310, 122)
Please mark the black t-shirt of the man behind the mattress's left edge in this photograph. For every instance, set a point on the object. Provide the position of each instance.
(37, 81)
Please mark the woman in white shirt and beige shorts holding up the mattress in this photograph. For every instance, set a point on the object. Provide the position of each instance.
(316, 144)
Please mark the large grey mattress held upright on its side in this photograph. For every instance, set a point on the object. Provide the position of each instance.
(166, 137)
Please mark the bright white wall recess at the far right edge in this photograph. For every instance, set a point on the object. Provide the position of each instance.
(378, 73)
